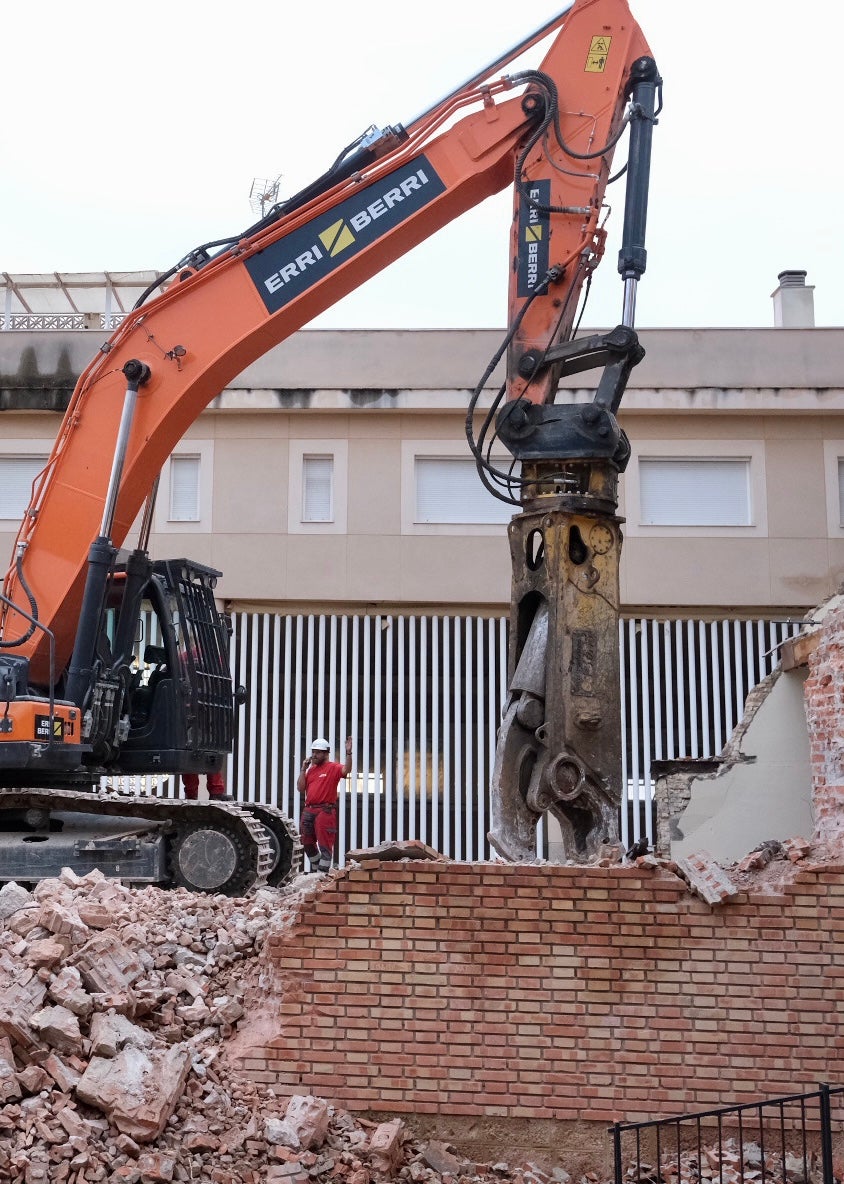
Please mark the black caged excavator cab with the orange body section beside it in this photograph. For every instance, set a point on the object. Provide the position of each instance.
(158, 694)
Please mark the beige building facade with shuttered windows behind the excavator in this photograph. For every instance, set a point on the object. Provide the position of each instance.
(759, 410)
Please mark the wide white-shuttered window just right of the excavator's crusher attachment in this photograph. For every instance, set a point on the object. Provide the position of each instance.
(708, 492)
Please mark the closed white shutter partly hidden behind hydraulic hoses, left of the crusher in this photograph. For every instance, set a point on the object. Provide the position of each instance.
(450, 491)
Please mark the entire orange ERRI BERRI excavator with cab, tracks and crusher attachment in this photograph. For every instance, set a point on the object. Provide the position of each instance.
(75, 702)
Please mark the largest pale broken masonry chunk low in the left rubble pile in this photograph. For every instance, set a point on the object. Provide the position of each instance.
(138, 1089)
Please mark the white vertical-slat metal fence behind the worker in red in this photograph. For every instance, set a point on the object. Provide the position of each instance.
(422, 698)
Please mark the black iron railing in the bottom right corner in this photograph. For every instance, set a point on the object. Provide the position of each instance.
(778, 1141)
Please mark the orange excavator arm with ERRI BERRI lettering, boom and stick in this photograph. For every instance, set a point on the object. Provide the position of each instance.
(551, 134)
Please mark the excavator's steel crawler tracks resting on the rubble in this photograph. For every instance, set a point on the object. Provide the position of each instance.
(215, 847)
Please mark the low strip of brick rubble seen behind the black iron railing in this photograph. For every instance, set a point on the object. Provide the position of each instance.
(731, 1163)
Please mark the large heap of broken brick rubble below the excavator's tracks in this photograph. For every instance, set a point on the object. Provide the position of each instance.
(115, 1009)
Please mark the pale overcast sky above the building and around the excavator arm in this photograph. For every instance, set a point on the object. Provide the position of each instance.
(133, 133)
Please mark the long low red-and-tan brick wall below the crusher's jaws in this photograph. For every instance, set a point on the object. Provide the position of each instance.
(550, 993)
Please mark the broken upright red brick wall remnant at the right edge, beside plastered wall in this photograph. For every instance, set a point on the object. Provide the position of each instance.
(824, 696)
